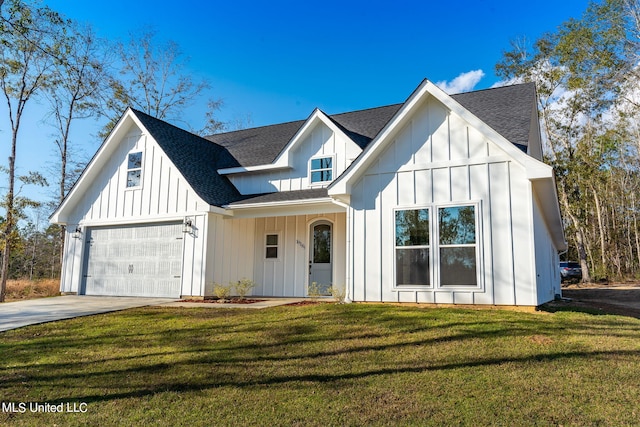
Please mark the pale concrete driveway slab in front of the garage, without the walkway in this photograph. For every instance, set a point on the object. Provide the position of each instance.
(30, 312)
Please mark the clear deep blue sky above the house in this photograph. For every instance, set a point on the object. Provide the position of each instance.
(275, 61)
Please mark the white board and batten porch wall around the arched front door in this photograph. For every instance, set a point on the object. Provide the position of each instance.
(288, 275)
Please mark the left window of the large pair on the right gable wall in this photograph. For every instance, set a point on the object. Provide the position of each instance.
(412, 247)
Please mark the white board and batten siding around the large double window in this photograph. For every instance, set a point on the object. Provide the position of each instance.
(437, 159)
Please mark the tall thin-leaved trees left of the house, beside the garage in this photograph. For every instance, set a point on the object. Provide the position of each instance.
(48, 59)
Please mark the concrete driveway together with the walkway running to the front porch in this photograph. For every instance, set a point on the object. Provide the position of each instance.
(30, 312)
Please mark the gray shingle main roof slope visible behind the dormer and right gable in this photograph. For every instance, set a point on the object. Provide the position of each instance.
(506, 109)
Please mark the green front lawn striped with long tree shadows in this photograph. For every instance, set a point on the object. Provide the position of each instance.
(326, 365)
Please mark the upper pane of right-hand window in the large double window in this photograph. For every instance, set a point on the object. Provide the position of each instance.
(457, 225)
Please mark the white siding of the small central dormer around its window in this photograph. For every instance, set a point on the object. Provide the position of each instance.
(321, 141)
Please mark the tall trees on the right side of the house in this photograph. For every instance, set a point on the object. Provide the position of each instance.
(588, 80)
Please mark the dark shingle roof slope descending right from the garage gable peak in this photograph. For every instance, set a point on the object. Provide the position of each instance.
(196, 158)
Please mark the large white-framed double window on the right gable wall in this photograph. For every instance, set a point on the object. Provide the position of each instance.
(454, 247)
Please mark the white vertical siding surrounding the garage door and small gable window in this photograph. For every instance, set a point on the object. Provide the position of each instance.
(163, 196)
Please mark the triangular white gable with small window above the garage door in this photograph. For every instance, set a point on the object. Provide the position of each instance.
(103, 193)
